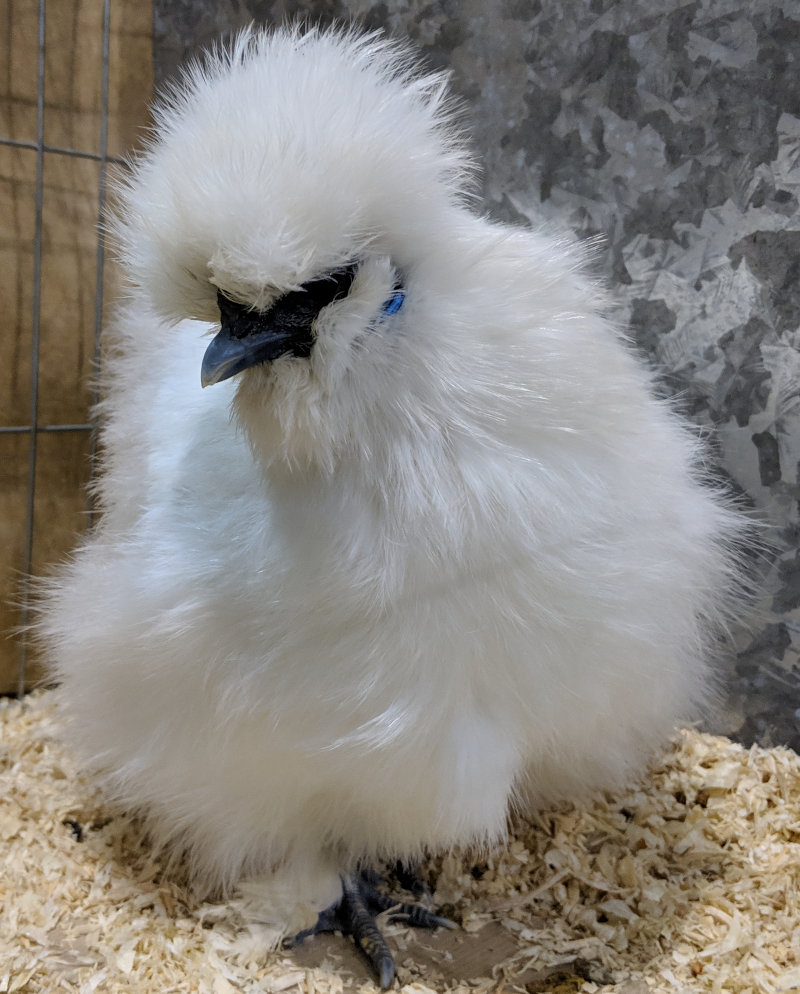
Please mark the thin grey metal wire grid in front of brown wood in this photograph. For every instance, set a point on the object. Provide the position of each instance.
(35, 428)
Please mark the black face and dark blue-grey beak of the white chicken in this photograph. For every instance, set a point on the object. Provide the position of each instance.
(248, 337)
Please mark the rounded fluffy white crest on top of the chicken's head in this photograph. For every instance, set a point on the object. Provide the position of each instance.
(275, 158)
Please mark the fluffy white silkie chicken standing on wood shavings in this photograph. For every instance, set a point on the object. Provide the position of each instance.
(426, 550)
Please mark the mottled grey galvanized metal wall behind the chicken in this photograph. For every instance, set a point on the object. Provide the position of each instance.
(671, 129)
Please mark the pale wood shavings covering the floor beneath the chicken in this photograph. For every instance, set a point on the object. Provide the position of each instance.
(686, 883)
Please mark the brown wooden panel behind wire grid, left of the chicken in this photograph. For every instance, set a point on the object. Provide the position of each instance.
(75, 86)
